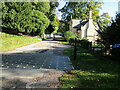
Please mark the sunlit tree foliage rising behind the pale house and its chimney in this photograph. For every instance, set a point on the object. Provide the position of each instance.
(80, 10)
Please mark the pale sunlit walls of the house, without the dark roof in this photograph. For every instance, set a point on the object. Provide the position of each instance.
(87, 31)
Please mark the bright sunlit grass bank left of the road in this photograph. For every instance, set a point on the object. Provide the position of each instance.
(9, 42)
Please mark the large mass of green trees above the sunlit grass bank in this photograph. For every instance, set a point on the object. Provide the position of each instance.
(29, 17)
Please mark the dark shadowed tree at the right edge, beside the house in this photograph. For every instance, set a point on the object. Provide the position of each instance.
(111, 35)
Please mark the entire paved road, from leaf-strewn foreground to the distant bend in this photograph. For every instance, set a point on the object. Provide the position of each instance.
(34, 61)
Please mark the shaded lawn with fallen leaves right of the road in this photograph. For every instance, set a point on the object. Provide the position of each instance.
(91, 71)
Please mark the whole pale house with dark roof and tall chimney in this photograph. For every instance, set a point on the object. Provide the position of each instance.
(86, 28)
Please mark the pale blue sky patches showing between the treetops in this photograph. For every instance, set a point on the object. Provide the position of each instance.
(110, 6)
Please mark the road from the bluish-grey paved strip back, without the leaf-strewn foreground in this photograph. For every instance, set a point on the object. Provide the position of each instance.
(45, 54)
